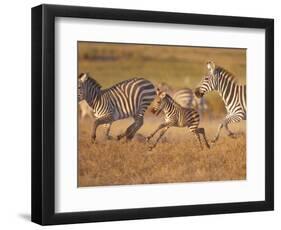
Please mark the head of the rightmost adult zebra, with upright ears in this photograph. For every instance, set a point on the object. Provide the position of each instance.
(209, 81)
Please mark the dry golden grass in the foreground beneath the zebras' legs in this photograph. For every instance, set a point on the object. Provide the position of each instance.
(177, 158)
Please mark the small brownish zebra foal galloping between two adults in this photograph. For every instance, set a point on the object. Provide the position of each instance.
(175, 116)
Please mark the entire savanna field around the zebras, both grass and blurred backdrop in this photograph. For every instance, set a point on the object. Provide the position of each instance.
(177, 157)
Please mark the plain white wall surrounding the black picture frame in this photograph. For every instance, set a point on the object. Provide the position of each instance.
(15, 113)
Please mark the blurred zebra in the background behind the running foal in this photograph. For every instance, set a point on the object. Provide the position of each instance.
(186, 98)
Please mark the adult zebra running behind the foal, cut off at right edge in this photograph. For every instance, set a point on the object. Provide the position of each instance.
(232, 93)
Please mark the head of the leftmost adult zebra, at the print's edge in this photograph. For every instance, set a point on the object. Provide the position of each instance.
(88, 88)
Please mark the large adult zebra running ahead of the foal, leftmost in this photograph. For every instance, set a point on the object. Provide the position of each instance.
(129, 98)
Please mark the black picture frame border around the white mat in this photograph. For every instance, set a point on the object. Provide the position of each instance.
(43, 114)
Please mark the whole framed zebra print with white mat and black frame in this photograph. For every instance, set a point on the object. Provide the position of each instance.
(141, 114)
